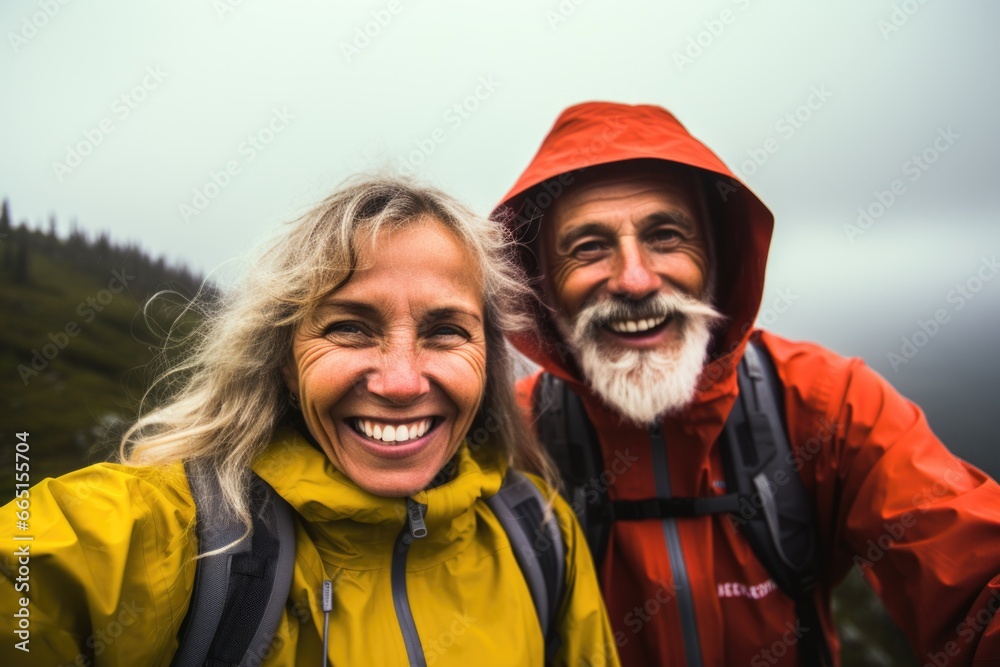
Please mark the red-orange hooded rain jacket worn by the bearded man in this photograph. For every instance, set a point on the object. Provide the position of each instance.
(922, 525)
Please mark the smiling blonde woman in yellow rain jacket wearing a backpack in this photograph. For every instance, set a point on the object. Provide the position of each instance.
(360, 371)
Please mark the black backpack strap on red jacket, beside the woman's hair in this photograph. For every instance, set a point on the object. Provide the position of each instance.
(566, 432)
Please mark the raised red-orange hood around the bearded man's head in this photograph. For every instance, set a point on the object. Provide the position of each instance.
(596, 133)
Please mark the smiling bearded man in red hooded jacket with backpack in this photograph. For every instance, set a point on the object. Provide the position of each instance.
(724, 499)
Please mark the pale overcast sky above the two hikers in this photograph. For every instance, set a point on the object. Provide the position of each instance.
(119, 113)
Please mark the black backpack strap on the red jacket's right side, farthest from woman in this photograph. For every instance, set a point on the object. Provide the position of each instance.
(759, 465)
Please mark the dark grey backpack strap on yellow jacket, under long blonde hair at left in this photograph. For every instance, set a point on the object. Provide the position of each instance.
(239, 594)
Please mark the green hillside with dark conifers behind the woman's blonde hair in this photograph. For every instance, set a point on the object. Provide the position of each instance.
(75, 347)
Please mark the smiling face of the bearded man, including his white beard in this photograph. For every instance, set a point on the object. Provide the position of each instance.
(626, 256)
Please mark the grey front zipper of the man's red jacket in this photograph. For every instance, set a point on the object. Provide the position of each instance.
(685, 601)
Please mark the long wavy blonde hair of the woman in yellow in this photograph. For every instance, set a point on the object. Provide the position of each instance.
(224, 400)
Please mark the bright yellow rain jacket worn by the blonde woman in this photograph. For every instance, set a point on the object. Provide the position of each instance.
(111, 569)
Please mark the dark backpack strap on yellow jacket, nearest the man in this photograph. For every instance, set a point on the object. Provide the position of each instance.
(538, 546)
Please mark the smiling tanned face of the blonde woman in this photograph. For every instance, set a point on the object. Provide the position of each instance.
(391, 367)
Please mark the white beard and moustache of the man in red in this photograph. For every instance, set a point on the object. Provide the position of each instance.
(643, 384)
